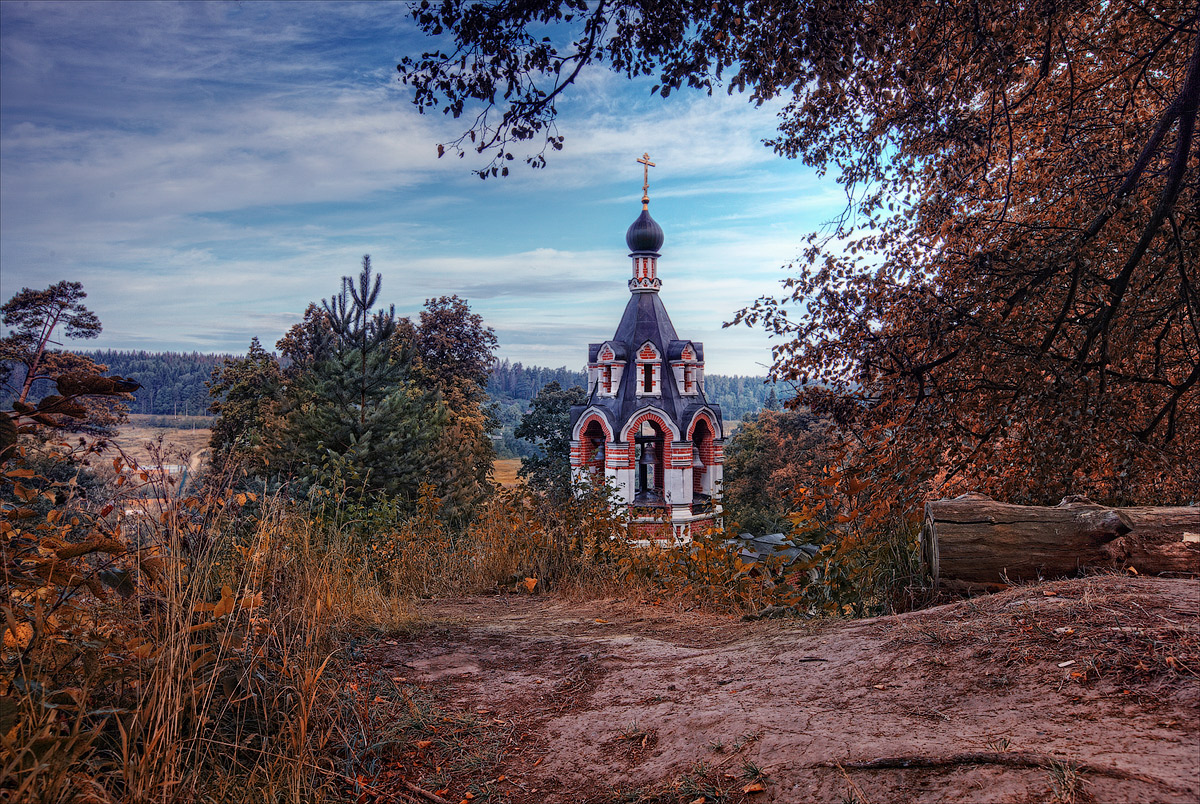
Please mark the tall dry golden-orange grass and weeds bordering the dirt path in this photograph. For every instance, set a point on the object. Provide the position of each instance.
(206, 652)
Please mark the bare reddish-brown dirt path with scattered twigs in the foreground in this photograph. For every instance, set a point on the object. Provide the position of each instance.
(621, 700)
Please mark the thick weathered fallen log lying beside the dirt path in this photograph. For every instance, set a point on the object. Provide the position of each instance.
(975, 541)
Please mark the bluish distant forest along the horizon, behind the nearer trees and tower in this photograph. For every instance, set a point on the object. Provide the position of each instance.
(173, 385)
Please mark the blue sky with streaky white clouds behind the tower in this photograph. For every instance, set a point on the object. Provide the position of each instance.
(208, 170)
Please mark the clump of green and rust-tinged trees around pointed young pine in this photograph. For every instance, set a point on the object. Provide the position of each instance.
(367, 401)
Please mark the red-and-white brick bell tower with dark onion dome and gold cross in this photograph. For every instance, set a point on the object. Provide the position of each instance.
(647, 428)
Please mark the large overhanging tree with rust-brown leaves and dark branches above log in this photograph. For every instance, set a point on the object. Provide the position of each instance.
(1011, 299)
